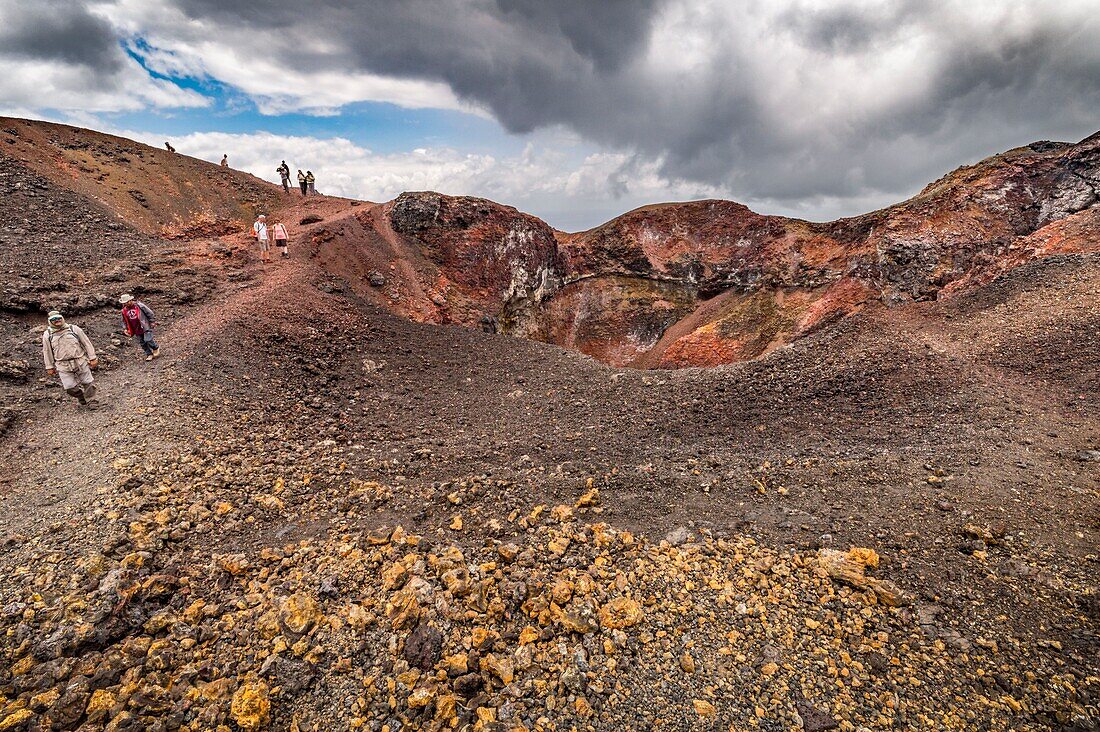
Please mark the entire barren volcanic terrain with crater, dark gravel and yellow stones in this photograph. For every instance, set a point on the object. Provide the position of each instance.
(315, 512)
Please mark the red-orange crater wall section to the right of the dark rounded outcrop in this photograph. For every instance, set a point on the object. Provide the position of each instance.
(711, 282)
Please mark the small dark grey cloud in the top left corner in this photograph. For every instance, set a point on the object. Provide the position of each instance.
(59, 30)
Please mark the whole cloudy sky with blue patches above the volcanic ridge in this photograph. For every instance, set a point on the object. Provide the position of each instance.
(574, 111)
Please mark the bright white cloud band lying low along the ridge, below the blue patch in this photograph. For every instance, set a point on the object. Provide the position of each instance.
(547, 182)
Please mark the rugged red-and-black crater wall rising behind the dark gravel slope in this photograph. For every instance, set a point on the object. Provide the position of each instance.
(712, 282)
